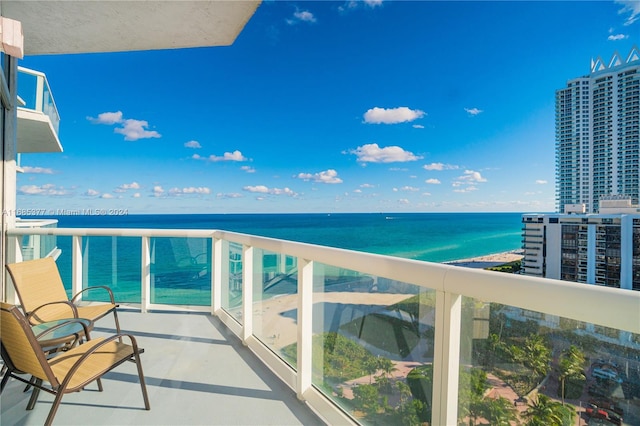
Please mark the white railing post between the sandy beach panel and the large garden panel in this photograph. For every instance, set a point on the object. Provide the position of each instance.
(305, 326)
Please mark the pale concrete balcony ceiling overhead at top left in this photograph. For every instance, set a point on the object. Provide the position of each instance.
(55, 27)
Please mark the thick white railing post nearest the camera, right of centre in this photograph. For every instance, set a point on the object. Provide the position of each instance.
(446, 358)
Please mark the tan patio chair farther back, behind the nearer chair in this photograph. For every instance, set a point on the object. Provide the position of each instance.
(43, 297)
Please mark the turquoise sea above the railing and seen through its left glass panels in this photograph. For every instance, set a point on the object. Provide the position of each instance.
(181, 267)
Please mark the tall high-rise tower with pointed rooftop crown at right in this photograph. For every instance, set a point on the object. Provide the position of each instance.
(597, 134)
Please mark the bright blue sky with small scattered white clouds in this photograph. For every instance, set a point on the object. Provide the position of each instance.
(367, 106)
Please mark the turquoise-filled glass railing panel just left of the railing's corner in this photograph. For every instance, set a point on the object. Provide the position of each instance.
(180, 271)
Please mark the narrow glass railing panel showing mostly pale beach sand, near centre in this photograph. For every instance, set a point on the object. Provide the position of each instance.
(275, 305)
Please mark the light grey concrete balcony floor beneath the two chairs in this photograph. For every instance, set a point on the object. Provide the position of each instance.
(197, 373)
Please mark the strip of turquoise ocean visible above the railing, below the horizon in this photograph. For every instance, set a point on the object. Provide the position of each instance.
(435, 237)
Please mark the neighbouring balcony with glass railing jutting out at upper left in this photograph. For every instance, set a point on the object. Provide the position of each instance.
(38, 118)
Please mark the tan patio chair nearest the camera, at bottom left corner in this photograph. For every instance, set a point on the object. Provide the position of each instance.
(66, 372)
